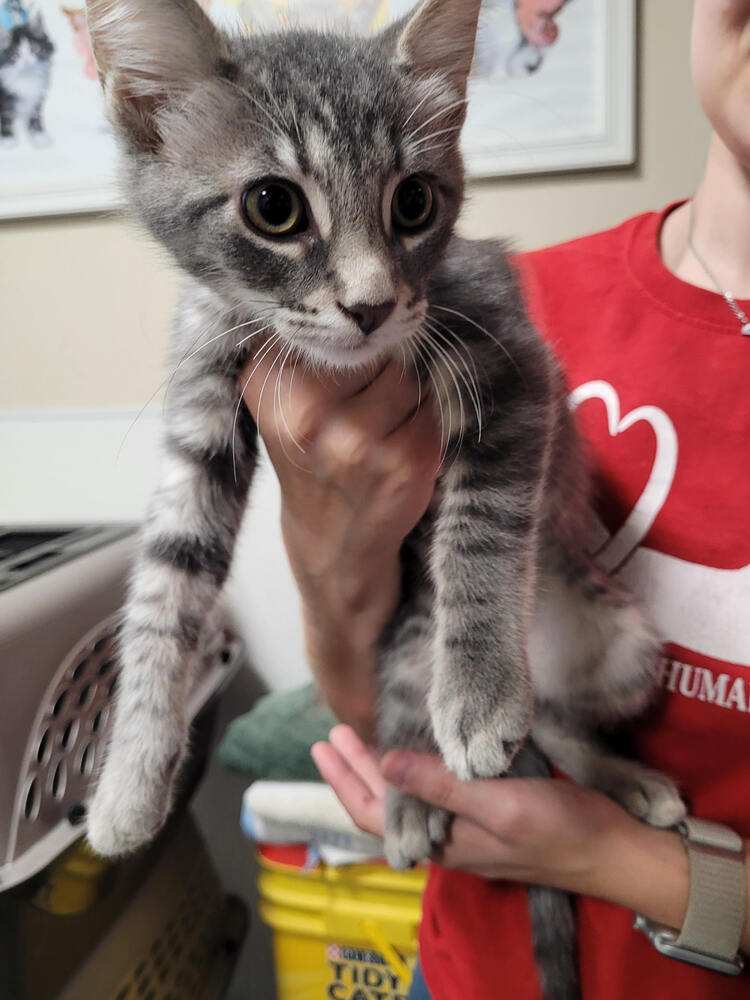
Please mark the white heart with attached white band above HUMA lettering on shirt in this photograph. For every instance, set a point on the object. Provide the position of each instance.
(701, 608)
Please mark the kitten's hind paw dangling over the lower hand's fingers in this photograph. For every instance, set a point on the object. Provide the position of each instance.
(412, 829)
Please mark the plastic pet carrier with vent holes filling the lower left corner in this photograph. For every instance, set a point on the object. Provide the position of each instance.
(73, 926)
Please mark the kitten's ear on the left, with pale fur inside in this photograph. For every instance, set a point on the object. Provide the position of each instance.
(147, 52)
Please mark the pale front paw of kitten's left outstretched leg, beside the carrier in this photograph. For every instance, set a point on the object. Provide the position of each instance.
(128, 809)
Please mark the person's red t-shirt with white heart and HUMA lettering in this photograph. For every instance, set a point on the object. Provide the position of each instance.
(660, 377)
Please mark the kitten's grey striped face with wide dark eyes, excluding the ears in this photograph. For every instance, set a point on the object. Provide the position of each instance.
(310, 180)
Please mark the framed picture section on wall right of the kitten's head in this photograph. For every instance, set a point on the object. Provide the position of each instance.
(553, 87)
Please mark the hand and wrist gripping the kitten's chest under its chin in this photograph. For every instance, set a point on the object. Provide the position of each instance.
(357, 458)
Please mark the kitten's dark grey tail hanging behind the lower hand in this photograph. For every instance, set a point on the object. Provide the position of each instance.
(553, 924)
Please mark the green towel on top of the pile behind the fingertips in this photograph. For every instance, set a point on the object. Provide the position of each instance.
(272, 742)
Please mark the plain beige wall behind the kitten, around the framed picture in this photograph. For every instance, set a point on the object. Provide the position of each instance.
(85, 302)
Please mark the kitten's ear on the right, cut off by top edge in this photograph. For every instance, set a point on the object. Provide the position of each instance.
(438, 39)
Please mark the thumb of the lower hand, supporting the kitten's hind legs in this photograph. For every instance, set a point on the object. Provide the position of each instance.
(426, 777)
